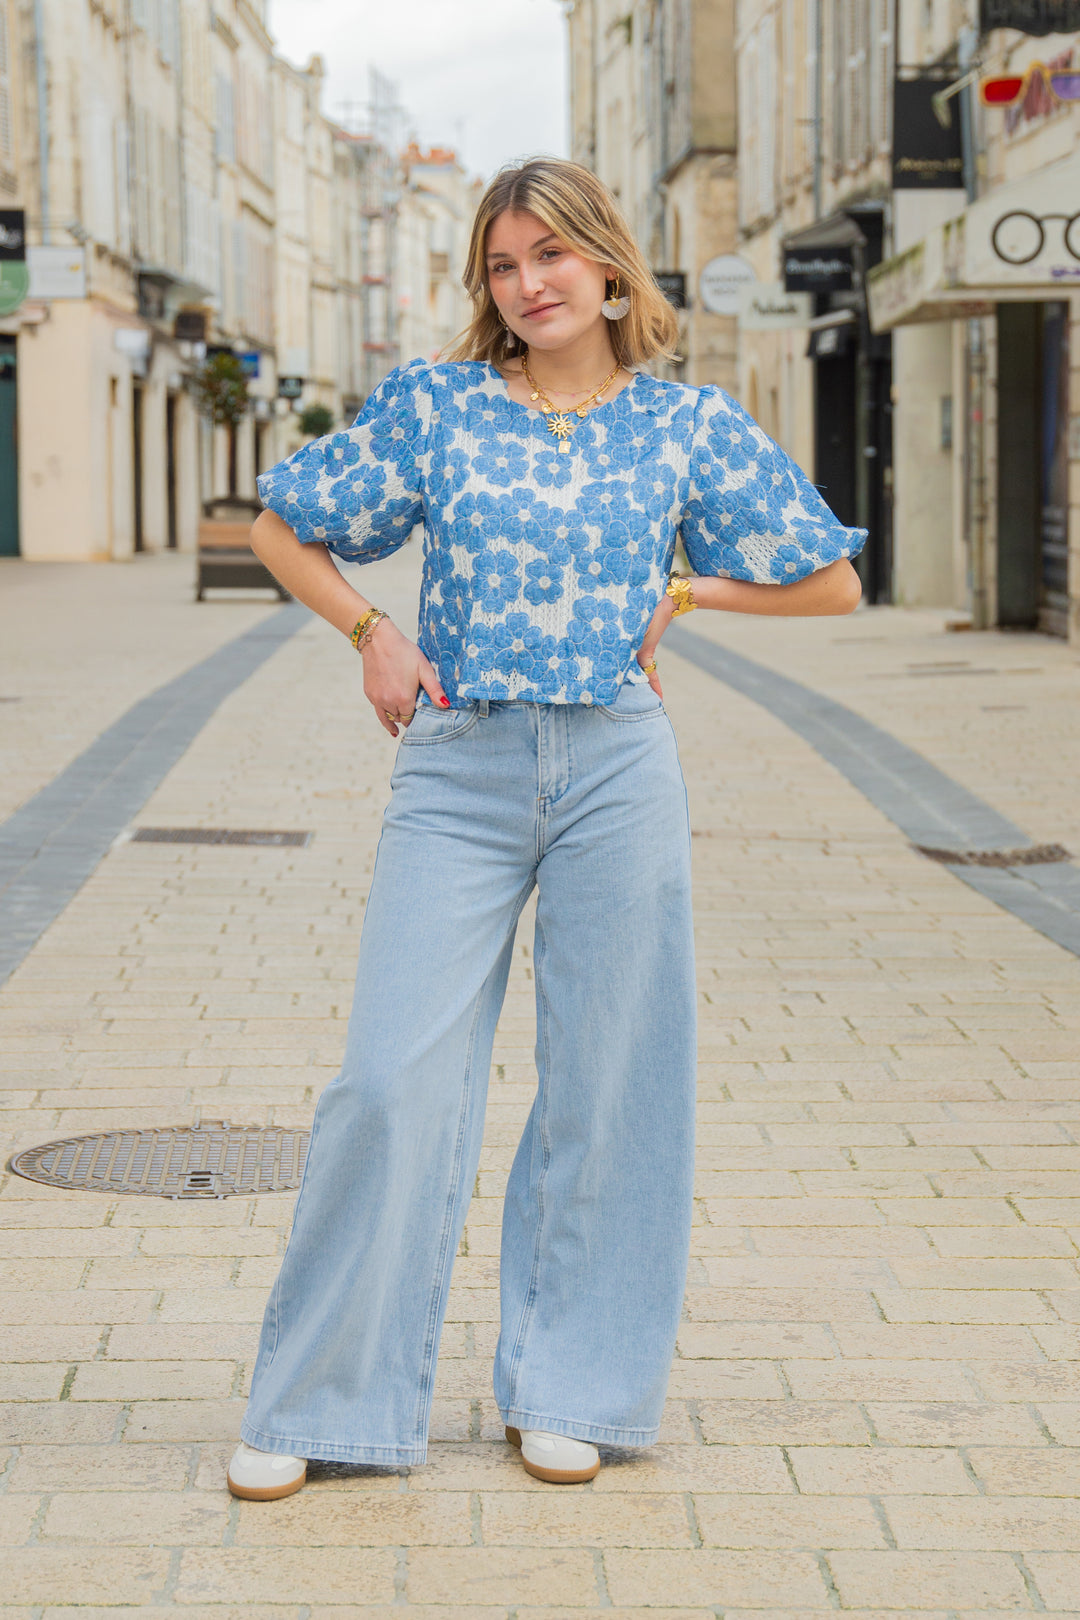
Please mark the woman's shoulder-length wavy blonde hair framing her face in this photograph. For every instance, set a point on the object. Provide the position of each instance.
(580, 210)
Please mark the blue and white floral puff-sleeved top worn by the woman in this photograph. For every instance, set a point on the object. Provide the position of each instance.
(542, 571)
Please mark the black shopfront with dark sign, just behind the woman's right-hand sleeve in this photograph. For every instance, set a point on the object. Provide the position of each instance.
(853, 386)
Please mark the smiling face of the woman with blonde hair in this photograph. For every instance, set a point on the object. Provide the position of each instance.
(546, 292)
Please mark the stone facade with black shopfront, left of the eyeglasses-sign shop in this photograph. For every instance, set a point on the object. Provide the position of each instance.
(815, 96)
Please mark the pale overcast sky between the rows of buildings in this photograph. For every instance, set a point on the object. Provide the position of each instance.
(487, 77)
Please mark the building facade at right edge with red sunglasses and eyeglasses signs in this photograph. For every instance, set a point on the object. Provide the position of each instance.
(982, 297)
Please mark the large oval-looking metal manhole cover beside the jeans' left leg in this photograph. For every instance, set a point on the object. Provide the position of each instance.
(185, 1162)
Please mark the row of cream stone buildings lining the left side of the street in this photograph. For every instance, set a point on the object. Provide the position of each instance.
(184, 194)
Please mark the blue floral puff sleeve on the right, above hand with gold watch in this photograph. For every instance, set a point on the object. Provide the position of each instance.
(752, 514)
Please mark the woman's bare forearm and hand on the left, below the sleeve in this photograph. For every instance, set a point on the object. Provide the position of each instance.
(394, 667)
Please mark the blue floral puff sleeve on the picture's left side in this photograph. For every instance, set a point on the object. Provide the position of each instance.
(360, 492)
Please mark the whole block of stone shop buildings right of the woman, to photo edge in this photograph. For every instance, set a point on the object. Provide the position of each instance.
(929, 393)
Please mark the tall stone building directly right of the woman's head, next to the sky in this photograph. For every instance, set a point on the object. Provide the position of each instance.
(653, 114)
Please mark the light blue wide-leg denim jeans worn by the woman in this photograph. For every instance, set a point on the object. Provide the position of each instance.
(490, 801)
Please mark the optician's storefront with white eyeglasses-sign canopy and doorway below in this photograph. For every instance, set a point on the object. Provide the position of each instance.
(1008, 266)
